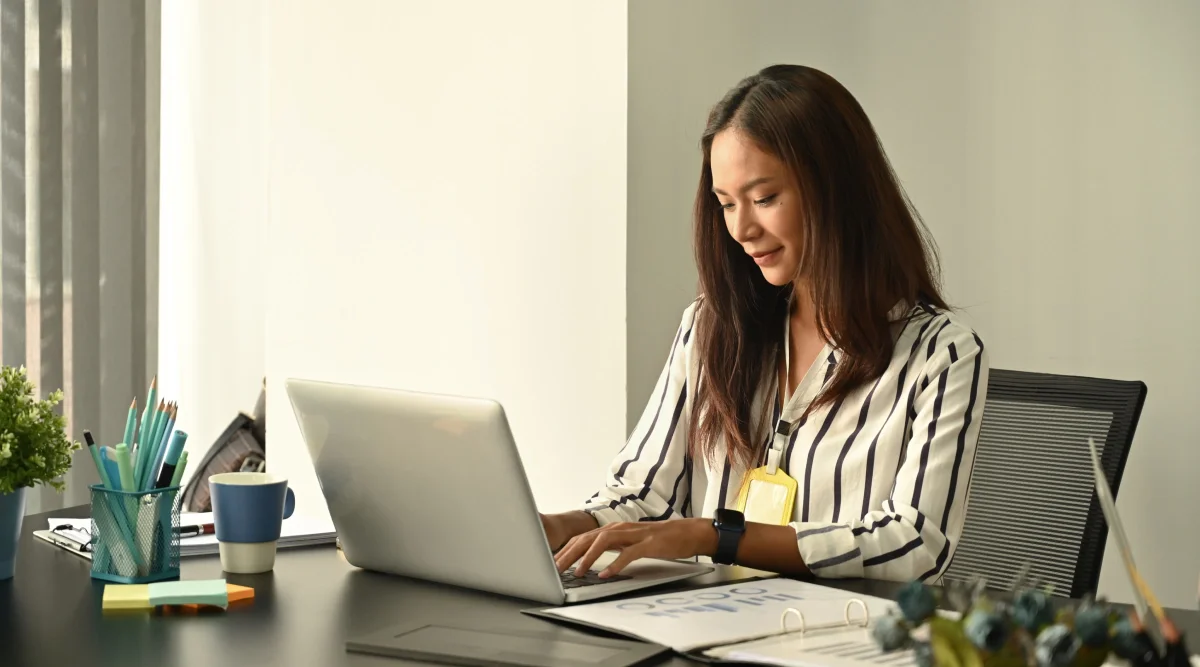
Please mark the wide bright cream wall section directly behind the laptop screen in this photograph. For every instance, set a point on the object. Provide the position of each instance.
(448, 214)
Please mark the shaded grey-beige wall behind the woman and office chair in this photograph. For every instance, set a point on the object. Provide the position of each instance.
(1052, 149)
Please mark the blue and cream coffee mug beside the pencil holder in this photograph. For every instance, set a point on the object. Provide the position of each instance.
(248, 512)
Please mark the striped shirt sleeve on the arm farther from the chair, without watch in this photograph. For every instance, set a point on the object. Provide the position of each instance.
(650, 479)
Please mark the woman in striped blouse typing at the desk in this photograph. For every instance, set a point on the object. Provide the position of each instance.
(821, 334)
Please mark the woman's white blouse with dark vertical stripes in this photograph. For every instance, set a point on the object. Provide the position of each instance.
(883, 474)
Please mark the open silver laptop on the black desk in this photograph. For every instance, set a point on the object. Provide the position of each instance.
(433, 488)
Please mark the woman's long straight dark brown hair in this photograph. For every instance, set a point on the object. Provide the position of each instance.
(866, 251)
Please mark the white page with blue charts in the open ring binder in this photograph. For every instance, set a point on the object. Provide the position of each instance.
(719, 616)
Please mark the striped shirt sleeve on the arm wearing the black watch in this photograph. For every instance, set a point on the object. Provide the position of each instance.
(913, 536)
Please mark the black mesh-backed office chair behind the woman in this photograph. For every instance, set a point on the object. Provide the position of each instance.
(1033, 497)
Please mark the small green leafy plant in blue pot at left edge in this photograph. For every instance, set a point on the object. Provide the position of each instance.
(34, 449)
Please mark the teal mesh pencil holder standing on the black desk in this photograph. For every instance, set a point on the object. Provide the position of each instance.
(135, 534)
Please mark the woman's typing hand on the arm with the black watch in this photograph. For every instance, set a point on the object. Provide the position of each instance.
(682, 538)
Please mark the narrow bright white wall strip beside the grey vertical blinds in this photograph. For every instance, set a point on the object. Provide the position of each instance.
(213, 214)
